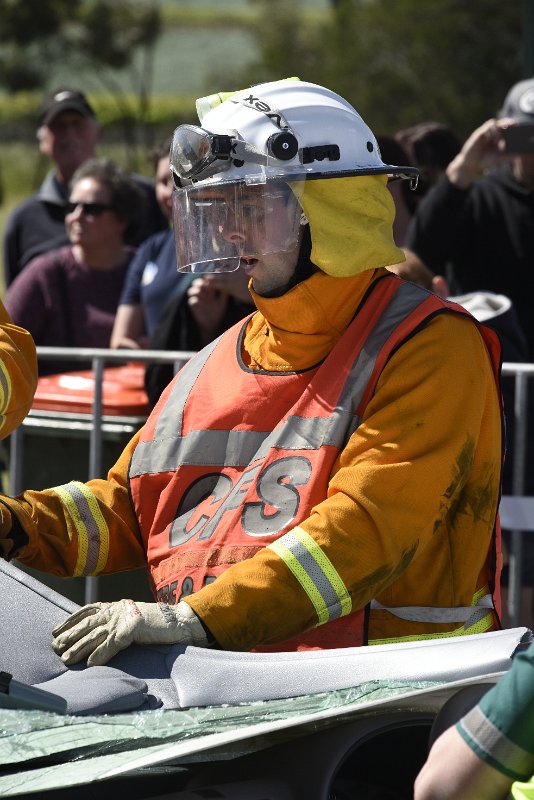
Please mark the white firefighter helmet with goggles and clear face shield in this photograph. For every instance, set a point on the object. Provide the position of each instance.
(257, 152)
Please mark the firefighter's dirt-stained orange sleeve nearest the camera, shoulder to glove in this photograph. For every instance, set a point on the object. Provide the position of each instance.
(399, 478)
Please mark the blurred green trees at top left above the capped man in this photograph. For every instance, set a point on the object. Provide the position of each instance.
(96, 36)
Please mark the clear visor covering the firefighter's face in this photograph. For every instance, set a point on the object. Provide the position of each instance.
(217, 226)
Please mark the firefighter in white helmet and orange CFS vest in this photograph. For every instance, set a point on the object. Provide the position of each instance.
(327, 472)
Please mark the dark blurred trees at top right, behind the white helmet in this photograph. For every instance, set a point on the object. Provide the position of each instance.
(398, 62)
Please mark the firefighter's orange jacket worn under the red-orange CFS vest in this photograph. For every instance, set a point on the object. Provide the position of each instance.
(408, 519)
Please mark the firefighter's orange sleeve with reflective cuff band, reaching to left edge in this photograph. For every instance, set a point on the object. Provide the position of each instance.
(75, 529)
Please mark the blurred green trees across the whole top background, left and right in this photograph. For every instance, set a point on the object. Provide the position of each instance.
(398, 61)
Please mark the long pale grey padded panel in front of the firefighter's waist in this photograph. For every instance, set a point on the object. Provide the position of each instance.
(205, 677)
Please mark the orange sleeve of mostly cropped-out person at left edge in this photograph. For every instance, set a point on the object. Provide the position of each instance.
(18, 373)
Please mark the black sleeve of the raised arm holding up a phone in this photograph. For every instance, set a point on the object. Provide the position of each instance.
(437, 223)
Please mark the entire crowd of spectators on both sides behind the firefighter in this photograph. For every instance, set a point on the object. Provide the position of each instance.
(89, 259)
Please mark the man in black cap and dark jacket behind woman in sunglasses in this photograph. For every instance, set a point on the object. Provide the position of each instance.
(68, 132)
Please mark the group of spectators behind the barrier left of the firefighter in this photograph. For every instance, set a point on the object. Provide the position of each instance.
(86, 265)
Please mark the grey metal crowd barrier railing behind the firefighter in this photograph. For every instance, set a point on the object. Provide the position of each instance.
(96, 426)
